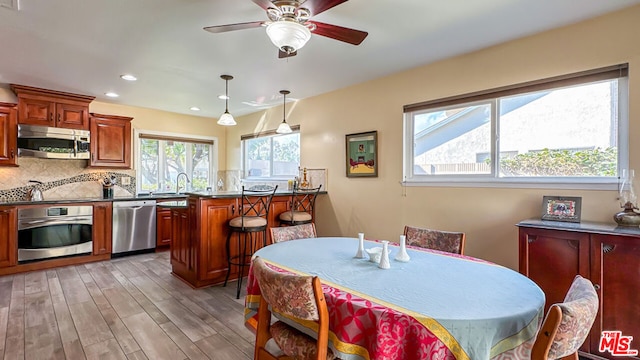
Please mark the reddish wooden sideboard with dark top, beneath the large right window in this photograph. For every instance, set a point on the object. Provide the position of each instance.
(553, 253)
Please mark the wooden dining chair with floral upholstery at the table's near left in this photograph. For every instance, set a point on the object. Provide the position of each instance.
(296, 297)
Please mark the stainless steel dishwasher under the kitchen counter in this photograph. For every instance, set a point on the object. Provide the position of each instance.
(134, 227)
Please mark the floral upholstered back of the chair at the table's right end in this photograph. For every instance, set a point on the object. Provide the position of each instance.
(579, 311)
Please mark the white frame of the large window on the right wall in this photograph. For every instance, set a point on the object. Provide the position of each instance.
(493, 97)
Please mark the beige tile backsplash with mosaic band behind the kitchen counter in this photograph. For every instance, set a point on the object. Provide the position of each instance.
(61, 179)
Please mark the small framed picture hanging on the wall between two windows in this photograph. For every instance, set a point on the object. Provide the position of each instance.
(362, 154)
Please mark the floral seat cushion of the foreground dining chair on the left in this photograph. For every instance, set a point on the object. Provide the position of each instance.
(294, 343)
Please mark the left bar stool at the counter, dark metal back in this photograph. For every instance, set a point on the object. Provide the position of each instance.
(250, 228)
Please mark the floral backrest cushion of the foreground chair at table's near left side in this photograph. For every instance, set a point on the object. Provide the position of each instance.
(286, 293)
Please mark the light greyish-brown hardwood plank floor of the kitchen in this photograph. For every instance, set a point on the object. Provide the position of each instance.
(126, 308)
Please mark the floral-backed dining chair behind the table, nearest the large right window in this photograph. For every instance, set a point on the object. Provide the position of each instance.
(448, 241)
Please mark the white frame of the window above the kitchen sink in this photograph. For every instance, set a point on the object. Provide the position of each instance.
(160, 135)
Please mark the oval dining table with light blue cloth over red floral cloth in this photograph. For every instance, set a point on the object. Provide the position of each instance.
(437, 305)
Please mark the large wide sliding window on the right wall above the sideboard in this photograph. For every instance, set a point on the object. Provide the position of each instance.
(570, 129)
